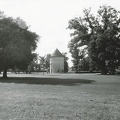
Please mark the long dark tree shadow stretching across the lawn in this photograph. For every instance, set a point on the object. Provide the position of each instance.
(45, 81)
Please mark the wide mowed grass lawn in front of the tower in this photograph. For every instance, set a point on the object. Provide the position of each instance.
(60, 97)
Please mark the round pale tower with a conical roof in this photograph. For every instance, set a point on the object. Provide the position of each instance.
(57, 62)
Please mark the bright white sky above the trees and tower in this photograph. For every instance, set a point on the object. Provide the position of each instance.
(49, 19)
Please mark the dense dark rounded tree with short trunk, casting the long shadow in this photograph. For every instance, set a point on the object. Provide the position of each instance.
(16, 44)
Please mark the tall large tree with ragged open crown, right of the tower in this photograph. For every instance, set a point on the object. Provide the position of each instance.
(101, 36)
